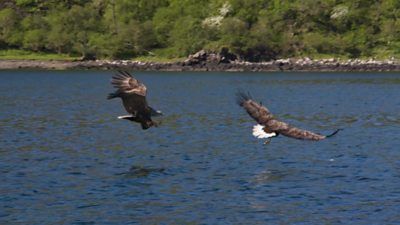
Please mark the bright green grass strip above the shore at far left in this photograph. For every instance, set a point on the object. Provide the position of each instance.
(15, 54)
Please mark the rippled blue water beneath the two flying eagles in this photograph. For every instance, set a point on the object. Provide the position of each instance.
(66, 159)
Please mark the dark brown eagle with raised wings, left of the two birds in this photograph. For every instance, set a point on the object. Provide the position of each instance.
(133, 95)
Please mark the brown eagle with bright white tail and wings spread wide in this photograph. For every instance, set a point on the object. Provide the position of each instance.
(268, 126)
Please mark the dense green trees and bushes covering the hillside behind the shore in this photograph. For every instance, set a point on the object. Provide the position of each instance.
(252, 29)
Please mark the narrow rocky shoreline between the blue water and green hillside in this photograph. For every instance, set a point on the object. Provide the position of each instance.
(323, 65)
